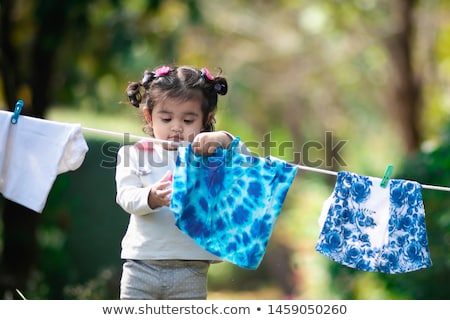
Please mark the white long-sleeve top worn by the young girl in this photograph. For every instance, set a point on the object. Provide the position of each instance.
(151, 233)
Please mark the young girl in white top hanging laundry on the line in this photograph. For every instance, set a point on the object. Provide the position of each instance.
(178, 104)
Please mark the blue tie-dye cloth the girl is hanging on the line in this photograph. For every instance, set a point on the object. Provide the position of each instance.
(229, 202)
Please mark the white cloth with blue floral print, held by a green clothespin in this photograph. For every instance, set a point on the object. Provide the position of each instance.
(367, 227)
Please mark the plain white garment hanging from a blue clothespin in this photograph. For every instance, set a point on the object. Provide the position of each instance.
(33, 152)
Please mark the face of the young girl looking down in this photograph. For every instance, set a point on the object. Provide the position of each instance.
(176, 120)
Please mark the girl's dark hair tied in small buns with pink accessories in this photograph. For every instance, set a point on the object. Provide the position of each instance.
(184, 83)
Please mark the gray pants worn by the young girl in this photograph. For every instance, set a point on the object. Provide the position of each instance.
(164, 280)
